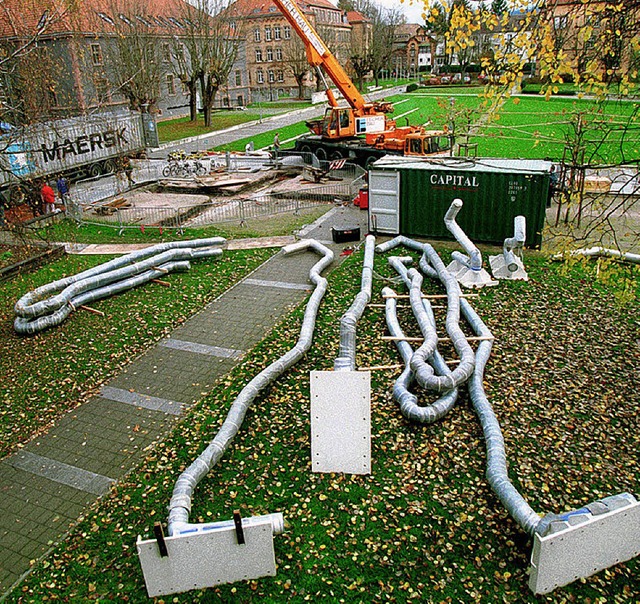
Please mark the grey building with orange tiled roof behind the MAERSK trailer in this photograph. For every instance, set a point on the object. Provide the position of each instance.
(67, 67)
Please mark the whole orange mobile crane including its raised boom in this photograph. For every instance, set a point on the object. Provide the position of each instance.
(337, 134)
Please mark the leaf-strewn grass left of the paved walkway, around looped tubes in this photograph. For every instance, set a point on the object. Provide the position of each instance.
(47, 374)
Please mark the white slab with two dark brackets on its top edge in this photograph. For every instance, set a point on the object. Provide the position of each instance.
(205, 559)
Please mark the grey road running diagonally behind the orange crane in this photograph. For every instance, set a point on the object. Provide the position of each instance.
(230, 135)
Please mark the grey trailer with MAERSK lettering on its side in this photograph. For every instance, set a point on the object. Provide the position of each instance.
(87, 145)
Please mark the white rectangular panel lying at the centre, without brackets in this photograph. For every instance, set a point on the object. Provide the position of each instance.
(341, 421)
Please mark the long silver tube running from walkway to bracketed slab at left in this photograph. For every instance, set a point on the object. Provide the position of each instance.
(180, 504)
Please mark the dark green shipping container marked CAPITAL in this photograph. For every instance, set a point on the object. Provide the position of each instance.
(494, 192)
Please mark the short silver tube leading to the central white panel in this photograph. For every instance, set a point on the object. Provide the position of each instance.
(346, 360)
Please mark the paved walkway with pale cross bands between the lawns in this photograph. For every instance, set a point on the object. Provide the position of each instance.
(46, 485)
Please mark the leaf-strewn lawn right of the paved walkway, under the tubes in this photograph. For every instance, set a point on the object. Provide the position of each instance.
(424, 525)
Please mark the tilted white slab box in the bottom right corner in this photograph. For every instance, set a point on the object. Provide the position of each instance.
(583, 542)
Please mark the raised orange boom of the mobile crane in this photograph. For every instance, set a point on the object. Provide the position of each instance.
(318, 54)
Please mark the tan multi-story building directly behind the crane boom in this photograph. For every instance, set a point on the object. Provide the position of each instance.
(274, 54)
